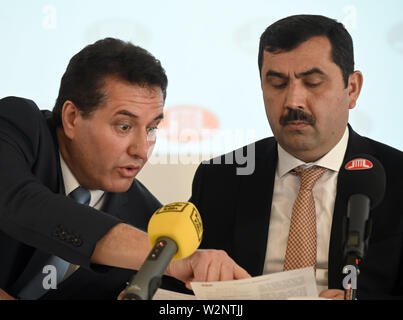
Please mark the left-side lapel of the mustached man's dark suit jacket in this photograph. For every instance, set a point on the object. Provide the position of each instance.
(253, 208)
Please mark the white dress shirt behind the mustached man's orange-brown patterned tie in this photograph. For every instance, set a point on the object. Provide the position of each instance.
(286, 188)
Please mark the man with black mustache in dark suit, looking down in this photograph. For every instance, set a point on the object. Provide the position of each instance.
(306, 65)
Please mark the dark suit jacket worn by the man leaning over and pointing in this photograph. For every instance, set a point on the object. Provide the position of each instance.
(34, 213)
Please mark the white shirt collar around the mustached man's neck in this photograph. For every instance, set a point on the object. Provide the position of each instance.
(332, 160)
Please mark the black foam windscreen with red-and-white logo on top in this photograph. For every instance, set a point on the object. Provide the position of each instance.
(363, 174)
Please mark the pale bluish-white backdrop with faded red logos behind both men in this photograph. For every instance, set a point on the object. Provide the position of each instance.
(209, 50)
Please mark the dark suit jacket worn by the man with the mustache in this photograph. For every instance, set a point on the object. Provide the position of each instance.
(236, 213)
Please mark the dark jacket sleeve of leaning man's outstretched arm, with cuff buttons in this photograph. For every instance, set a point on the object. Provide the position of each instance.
(29, 211)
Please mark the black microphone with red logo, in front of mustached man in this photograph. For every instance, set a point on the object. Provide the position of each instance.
(363, 186)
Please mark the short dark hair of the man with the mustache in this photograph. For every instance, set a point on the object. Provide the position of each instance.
(288, 33)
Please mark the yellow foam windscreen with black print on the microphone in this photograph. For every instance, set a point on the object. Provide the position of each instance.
(179, 221)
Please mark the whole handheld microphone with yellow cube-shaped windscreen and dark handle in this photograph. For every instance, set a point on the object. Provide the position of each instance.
(175, 232)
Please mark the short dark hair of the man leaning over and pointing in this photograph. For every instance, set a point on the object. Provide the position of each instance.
(84, 79)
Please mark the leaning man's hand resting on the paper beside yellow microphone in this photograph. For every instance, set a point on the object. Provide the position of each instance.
(206, 265)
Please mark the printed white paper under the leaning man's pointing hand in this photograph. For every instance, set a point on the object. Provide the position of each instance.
(276, 286)
